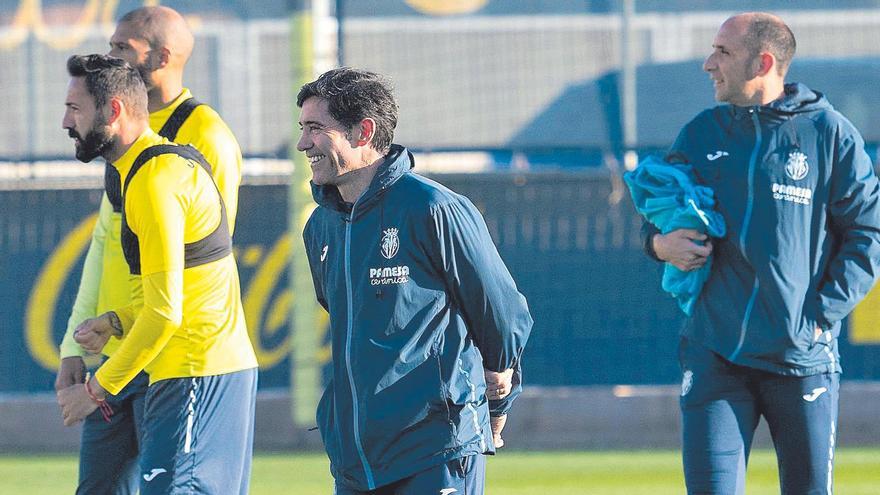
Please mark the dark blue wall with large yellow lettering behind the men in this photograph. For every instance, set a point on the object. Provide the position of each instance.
(600, 317)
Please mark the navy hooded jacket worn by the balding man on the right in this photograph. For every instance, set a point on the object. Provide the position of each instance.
(800, 199)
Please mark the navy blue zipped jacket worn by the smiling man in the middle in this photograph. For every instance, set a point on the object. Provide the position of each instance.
(419, 302)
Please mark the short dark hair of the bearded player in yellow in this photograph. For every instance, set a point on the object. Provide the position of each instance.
(107, 77)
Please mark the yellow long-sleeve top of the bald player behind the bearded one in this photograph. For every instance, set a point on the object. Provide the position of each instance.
(105, 281)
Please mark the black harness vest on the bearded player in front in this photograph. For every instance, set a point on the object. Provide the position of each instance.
(216, 245)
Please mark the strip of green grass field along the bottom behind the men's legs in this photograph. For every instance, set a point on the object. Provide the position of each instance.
(510, 473)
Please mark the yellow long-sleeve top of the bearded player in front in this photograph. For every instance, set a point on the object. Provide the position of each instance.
(191, 322)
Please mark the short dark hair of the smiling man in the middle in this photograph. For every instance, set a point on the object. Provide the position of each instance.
(354, 95)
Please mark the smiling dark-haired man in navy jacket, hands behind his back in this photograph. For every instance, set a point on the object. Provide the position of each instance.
(419, 301)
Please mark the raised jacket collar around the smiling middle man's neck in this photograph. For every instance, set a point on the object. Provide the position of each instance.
(398, 162)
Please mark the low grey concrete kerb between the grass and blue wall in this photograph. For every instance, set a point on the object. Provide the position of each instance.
(544, 418)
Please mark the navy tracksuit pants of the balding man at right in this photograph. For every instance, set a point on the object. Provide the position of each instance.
(721, 404)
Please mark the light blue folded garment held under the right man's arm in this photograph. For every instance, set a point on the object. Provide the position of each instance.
(668, 196)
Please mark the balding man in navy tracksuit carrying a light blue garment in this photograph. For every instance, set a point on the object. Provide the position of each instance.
(800, 199)
